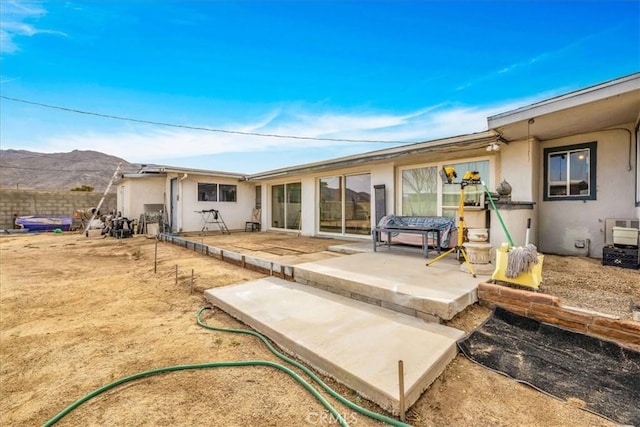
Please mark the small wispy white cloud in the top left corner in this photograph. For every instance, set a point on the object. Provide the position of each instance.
(14, 23)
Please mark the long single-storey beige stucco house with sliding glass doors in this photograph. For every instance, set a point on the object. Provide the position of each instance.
(572, 163)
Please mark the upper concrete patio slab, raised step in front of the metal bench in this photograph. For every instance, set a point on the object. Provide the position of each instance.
(399, 281)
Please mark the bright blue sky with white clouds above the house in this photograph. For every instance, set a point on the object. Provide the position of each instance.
(398, 70)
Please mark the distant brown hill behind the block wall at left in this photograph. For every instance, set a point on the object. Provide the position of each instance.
(21, 169)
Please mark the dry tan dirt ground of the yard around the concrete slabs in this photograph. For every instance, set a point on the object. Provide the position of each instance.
(77, 314)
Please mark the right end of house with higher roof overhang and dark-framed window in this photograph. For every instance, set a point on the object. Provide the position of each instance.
(576, 156)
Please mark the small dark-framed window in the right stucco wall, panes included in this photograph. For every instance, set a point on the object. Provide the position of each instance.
(570, 172)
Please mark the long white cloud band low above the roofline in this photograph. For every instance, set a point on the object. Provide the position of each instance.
(149, 144)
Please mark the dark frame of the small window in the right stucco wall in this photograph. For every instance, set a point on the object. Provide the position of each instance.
(591, 147)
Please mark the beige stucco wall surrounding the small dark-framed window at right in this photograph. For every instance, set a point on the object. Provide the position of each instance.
(566, 221)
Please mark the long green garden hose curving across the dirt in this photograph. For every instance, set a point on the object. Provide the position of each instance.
(283, 368)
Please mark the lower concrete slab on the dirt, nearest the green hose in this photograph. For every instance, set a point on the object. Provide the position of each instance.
(356, 343)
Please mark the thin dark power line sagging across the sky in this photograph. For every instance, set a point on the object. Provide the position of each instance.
(236, 132)
